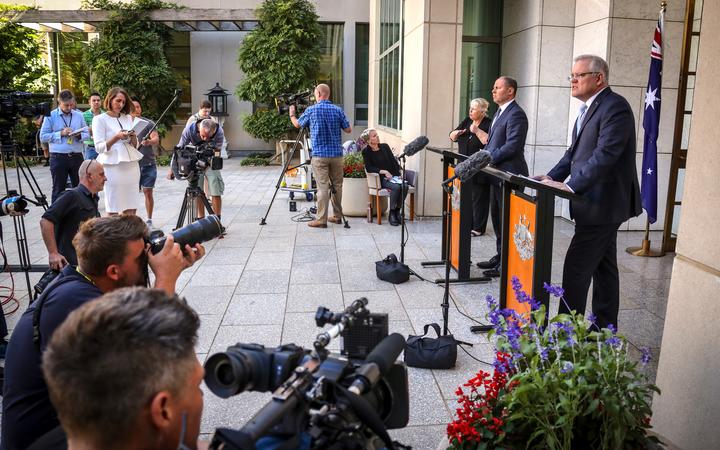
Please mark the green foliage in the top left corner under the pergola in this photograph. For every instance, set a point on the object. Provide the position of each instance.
(22, 67)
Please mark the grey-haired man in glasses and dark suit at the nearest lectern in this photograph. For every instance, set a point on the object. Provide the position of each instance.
(601, 166)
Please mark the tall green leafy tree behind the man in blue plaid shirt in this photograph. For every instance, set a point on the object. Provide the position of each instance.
(280, 56)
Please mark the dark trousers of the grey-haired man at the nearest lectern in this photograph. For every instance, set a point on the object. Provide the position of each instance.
(592, 255)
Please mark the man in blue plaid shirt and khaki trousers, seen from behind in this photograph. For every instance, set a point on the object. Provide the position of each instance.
(325, 121)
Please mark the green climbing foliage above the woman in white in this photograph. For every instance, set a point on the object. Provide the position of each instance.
(130, 53)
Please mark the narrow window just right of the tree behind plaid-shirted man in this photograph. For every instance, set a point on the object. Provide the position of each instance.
(331, 60)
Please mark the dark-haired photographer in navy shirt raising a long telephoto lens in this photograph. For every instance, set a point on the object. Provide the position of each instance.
(112, 253)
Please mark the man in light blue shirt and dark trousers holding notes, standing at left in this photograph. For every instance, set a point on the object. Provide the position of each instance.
(64, 131)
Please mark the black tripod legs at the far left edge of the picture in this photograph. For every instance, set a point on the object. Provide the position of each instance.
(22, 170)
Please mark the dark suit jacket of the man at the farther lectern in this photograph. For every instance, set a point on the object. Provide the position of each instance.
(506, 142)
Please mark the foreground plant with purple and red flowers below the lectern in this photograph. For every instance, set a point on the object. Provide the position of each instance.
(562, 384)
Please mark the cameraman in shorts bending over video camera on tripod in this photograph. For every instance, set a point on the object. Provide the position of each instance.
(205, 132)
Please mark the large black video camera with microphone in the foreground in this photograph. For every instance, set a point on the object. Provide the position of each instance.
(330, 401)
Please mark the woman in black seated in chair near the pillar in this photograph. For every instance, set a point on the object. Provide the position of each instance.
(381, 160)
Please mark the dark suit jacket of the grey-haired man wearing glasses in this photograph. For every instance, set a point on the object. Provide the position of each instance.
(601, 164)
